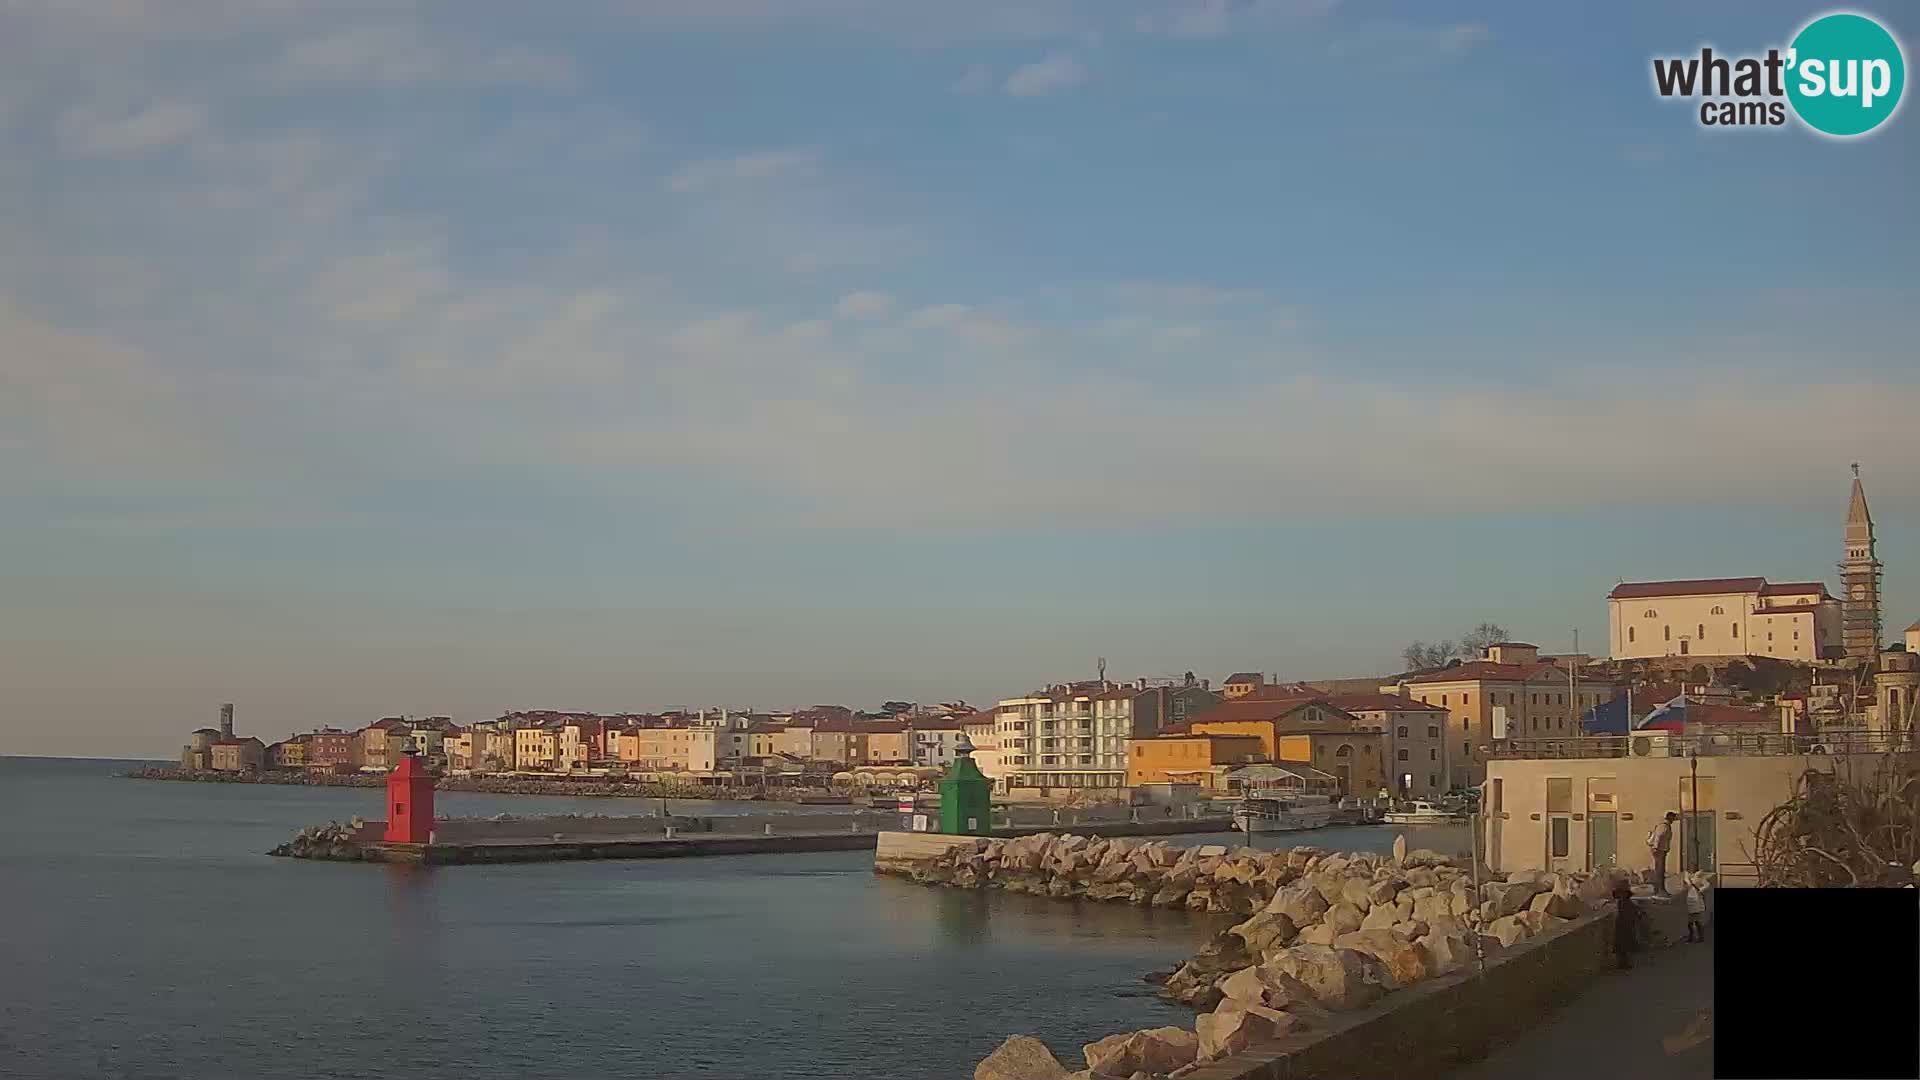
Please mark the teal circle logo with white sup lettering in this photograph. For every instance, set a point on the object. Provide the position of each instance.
(1846, 76)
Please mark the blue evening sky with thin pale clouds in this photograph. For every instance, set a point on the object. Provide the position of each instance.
(460, 356)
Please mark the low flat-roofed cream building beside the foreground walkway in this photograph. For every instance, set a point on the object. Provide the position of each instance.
(1587, 804)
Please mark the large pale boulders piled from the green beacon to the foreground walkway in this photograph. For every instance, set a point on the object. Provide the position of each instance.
(1326, 933)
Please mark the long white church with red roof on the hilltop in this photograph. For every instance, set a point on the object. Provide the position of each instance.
(1725, 618)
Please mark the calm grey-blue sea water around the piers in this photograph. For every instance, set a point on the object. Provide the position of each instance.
(147, 935)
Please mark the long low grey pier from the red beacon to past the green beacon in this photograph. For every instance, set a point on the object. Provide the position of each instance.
(575, 839)
